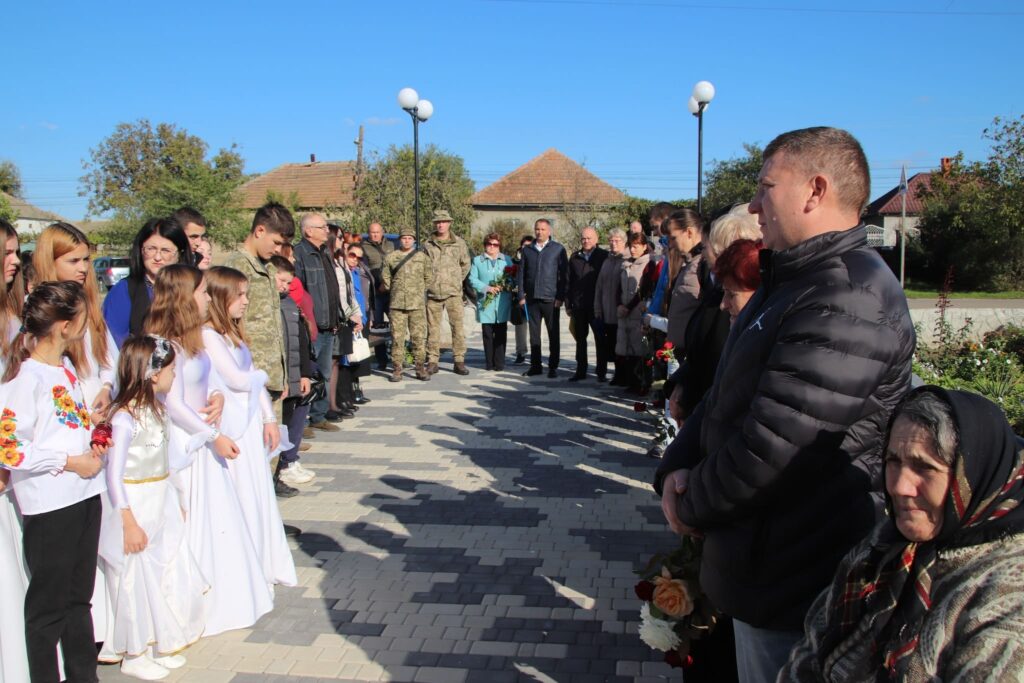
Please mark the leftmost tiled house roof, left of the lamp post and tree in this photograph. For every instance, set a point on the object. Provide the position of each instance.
(318, 185)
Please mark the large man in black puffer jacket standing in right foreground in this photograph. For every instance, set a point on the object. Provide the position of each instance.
(779, 464)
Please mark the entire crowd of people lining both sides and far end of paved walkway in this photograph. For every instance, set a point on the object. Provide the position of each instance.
(854, 530)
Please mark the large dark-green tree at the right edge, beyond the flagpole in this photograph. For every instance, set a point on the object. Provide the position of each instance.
(973, 216)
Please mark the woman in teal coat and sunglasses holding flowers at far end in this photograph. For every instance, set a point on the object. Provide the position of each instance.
(494, 302)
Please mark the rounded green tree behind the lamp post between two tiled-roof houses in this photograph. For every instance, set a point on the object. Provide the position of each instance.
(387, 191)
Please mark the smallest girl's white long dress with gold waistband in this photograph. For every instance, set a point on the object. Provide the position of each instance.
(157, 594)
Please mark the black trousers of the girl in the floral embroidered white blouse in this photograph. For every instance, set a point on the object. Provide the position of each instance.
(61, 549)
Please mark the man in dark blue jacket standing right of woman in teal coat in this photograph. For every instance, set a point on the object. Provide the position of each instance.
(542, 282)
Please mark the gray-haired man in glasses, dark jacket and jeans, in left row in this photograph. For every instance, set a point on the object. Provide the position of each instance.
(315, 269)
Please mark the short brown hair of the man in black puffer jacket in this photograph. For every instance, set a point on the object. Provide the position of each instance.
(831, 152)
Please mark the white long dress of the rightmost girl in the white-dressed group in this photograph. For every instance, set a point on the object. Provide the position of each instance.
(246, 406)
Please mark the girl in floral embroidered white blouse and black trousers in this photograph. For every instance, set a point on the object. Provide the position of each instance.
(45, 428)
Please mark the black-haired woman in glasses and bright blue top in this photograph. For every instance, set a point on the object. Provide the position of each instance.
(160, 243)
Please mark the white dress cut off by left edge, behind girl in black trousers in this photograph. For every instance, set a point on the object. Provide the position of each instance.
(14, 580)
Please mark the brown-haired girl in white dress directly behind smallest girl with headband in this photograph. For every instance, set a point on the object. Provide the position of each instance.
(199, 455)
